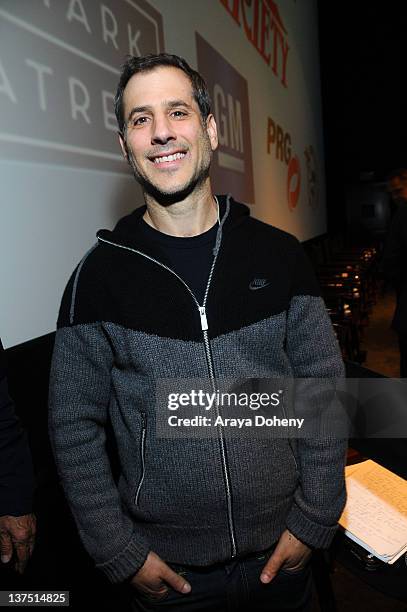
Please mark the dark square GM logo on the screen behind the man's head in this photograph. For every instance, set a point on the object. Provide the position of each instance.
(232, 169)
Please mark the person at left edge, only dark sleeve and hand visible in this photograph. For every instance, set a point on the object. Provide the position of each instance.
(17, 523)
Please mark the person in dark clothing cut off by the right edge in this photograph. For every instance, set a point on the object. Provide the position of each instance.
(395, 258)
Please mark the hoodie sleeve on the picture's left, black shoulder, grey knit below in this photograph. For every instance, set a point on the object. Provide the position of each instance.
(79, 395)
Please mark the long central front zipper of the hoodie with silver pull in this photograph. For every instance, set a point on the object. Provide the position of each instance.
(209, 360)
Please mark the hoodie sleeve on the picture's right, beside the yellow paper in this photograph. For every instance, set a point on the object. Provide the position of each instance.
(314, 353)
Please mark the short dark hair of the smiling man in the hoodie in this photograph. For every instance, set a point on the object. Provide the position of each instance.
(134, 65)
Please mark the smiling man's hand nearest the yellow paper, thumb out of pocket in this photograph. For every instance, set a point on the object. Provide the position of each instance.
(289, 553)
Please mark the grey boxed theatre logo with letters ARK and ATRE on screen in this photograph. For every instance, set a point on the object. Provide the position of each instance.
(59, 68)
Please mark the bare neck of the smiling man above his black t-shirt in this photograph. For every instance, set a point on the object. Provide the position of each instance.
(194, 215)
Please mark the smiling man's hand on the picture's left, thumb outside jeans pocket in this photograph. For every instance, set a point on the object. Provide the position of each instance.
(154, 577)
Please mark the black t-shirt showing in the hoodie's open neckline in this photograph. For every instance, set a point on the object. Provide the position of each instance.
(191, 258)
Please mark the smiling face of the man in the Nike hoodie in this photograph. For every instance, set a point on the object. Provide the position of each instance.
(166, 143)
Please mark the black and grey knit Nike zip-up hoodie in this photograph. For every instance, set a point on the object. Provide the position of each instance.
(126, 321)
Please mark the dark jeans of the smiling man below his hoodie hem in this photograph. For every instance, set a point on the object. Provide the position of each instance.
(234, 587)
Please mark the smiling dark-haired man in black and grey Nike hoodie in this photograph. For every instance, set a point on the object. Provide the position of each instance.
(190, 286)
